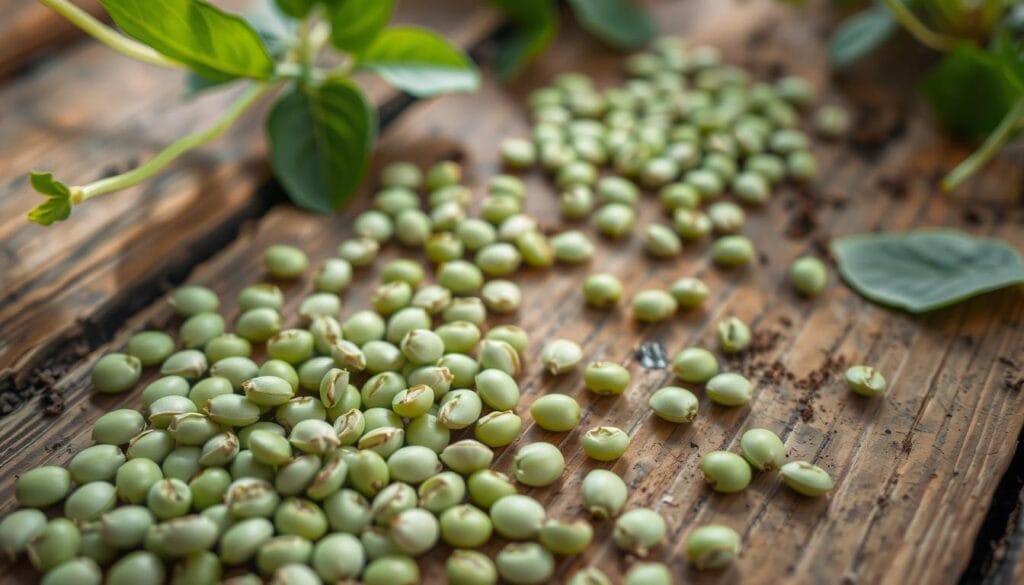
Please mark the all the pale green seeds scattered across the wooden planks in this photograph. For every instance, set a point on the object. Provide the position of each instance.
(333, 459)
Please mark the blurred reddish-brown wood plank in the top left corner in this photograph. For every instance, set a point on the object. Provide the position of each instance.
(29, 28)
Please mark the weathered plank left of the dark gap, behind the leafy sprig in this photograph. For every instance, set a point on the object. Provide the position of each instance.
(57, 287)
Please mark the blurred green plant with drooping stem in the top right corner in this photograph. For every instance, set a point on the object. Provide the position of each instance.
(977, 90)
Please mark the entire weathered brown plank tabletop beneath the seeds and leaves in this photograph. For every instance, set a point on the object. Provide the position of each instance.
(928, 479)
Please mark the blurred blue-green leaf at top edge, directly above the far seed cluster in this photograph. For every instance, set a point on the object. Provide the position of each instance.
(620, 23)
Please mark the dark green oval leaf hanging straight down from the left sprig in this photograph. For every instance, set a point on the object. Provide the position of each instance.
(321, 140)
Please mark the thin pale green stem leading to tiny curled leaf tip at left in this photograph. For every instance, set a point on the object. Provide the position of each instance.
(176, 150)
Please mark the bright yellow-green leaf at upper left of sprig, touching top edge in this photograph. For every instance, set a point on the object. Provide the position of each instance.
(210, 41)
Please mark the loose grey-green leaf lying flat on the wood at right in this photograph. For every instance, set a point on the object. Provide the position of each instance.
(926, 270)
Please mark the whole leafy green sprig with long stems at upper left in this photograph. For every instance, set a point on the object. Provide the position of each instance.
(321, 128)
